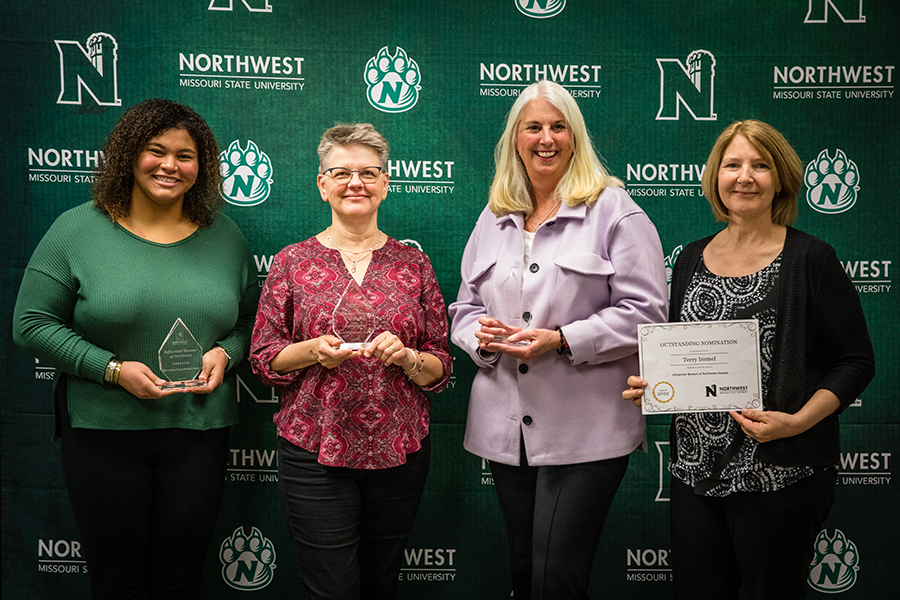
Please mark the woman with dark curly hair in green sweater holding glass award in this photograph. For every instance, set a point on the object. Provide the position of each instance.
(144, 461)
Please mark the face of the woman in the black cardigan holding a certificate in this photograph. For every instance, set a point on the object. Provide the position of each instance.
(747, 181)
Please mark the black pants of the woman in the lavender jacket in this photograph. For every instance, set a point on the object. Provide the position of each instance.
(554, 517)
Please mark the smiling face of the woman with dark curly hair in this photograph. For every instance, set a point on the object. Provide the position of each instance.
(165, 169)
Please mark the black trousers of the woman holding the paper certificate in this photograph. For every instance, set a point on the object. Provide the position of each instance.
(763, 541)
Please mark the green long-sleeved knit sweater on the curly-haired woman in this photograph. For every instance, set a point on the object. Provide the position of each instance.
(92, 291)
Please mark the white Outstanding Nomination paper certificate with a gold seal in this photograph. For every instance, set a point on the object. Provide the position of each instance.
(702, 366)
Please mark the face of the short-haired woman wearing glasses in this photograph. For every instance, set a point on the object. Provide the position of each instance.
(355, 199)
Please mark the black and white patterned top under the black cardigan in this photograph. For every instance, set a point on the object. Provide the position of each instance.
(702, 438)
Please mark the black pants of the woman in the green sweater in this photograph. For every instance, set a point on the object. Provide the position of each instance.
(145, 503)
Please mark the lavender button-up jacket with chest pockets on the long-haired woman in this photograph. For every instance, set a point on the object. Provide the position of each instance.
(597, 271)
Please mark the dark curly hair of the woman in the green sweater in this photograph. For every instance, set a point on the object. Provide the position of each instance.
(112, 187)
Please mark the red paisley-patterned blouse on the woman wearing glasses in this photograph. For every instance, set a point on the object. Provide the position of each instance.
(360, 414)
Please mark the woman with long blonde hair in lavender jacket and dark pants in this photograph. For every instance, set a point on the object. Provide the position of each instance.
(560, 269)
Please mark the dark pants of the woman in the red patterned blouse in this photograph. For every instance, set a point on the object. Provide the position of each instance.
(350, 526)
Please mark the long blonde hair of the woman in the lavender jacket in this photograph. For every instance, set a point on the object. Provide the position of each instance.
(585, 176)
